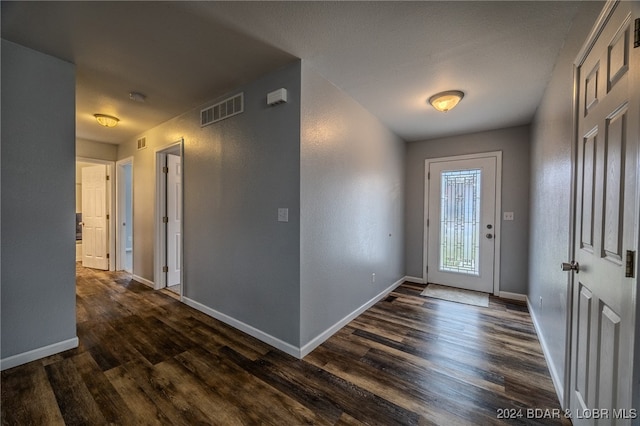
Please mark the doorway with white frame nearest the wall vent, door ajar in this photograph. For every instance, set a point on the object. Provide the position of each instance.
(168, 218)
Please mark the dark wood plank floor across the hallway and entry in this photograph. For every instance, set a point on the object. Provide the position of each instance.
(145, 358)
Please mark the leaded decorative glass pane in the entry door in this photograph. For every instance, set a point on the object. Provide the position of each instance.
(460, 221)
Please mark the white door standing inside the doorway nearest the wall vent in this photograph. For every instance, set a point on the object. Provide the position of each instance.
(174, 219)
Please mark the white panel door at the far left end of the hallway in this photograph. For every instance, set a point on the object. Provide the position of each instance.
(94, 217)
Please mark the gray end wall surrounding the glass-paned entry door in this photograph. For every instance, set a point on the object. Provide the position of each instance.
(514, 144)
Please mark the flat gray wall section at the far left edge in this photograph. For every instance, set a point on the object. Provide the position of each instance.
(38, 200)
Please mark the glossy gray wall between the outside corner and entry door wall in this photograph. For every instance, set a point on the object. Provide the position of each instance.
(352, 197)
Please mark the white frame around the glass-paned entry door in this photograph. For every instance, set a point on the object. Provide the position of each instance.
(497, 221)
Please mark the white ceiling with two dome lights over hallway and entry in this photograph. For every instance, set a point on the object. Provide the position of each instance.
(389, 56)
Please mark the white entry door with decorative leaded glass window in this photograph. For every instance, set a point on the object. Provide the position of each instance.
(461, 224)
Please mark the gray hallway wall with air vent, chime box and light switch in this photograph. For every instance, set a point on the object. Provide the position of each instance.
(238, 259)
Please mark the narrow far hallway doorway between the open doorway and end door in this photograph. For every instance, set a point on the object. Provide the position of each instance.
(124, 215)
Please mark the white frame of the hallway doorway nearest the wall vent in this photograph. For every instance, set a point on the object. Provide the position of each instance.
(160, 277)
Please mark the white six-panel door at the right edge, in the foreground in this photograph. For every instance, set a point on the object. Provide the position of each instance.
(606, 233)
